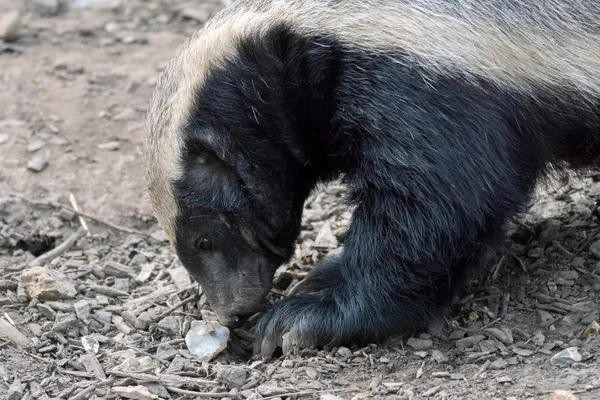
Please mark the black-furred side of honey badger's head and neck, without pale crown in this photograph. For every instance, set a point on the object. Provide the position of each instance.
(251, 152)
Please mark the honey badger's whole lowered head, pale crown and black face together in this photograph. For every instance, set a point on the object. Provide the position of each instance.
(226, 156)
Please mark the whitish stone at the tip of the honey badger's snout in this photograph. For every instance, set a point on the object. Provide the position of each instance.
(206, 340)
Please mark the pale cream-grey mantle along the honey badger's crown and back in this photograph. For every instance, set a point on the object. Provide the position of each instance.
(551, 46)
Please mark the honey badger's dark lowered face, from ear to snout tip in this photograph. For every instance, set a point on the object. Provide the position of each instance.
(226, 239)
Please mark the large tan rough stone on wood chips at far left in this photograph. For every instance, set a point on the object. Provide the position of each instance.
(44, 284)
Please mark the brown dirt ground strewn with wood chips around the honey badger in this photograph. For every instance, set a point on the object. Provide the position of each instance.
(75, 85)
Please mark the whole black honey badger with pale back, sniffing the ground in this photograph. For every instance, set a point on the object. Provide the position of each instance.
(440, 116)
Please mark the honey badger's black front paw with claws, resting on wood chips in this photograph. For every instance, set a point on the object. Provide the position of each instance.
(304, 321)
